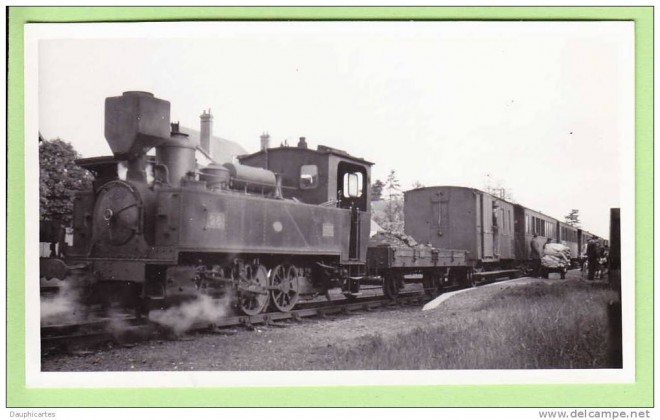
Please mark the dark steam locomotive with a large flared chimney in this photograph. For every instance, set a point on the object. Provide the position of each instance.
(278, 226)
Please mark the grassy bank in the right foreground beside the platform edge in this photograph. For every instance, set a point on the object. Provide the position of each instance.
(536, 326)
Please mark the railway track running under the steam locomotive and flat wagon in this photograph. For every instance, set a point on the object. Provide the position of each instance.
(79, 338)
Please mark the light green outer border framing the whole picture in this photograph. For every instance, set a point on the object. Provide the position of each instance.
(639, 394)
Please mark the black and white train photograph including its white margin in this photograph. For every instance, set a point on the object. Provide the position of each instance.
(354, 202)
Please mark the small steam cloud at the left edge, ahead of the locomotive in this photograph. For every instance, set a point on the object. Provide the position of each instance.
(63, 307)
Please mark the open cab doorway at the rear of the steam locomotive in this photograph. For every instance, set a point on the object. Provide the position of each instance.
(351, 194)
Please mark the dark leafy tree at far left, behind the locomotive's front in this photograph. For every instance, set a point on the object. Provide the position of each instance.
(59, 179)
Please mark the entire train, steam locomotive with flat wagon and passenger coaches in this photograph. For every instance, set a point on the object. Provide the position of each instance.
(271, 229)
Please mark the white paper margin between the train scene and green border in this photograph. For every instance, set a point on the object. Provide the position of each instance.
(35, 378)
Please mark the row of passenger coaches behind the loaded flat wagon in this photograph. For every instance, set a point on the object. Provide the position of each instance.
(496, 233)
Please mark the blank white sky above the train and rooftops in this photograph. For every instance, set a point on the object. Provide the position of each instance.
(544, 109)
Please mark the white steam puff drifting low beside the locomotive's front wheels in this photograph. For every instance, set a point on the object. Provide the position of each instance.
(182, 318)
